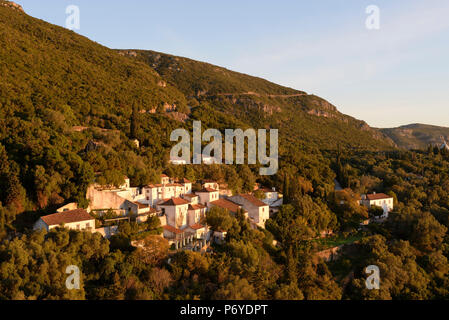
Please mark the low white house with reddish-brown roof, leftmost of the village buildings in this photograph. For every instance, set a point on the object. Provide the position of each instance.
(77, 219)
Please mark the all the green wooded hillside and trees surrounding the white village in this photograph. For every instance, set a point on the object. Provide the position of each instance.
(61, 93)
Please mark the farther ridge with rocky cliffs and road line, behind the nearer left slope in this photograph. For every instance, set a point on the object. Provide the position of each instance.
(302, 118)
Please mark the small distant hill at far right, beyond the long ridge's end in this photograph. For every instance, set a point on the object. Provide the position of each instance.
(417, 136)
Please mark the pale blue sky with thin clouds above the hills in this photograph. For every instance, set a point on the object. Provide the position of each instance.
(393, 76)
